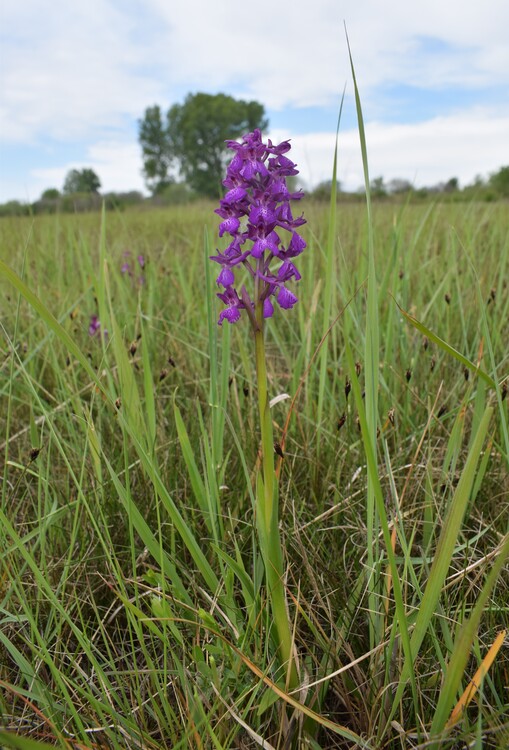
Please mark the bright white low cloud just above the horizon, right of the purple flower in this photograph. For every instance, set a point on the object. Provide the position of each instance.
(462, 145)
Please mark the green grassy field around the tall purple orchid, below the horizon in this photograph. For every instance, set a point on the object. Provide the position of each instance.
(133, 607)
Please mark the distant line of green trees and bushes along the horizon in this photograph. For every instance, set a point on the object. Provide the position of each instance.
(184, 157)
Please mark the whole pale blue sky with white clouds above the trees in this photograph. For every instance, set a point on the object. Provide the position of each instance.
(77, 75)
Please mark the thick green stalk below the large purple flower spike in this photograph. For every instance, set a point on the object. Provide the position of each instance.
(267, 515)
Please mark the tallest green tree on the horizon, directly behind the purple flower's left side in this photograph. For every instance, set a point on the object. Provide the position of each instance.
(193, 139)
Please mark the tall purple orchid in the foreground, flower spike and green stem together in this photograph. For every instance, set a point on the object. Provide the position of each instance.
(256, 214)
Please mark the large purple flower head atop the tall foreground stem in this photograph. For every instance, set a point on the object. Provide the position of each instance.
(256, 213)
